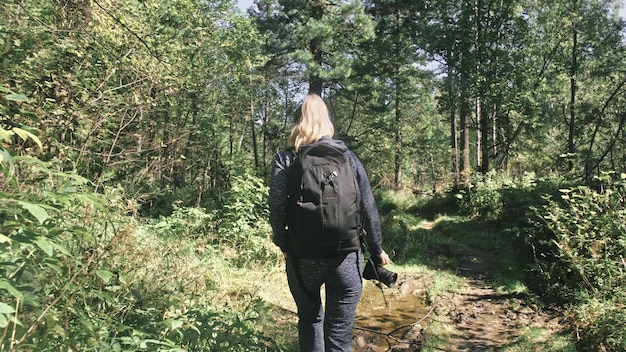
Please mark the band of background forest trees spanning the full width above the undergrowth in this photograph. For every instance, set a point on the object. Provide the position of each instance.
(183, 95)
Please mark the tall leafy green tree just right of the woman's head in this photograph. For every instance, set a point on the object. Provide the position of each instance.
(384, 103)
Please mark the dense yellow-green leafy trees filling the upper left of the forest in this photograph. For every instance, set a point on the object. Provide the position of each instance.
(133, 93)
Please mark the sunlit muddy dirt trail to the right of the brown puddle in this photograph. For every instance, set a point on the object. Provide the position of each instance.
(476, 317)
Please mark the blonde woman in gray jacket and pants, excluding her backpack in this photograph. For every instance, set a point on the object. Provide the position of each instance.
(320, 331)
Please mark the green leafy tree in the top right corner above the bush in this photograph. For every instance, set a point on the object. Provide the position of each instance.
(583, 53)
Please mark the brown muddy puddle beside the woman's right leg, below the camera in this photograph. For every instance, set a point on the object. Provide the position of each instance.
(383, 317)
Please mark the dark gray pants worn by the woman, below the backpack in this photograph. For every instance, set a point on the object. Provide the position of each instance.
(320, 331)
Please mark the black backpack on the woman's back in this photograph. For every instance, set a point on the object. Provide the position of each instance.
(324, 203)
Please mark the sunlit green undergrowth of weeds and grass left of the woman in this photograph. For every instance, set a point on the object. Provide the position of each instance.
(73, 276)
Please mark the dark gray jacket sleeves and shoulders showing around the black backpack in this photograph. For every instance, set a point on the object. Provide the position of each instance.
(278, 198)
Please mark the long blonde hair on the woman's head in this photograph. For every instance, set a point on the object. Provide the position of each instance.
(313, 122)
